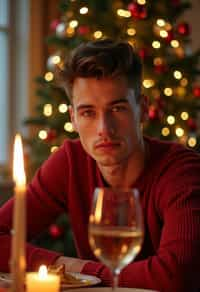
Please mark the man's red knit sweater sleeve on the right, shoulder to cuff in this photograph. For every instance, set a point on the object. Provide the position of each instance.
(175, 265)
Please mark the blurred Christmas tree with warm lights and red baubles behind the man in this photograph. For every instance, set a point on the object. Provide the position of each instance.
(161, 36)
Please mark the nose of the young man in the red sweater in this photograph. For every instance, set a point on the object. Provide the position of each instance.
(106, 126)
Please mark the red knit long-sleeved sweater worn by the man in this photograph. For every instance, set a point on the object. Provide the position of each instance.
(170, 194)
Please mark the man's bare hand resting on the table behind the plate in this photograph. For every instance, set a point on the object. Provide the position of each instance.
(71, 264)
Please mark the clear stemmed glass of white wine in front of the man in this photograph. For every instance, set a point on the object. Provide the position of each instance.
(116, 227)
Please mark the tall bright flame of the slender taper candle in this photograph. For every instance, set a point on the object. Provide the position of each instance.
(18, 162)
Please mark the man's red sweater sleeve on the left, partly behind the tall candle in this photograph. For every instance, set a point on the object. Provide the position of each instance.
(46, 199)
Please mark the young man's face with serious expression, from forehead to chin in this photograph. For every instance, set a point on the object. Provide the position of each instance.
(106, 116)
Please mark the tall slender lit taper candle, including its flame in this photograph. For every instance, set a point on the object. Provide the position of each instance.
(18, 262)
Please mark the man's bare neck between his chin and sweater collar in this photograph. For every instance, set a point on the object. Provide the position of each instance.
(125, 174)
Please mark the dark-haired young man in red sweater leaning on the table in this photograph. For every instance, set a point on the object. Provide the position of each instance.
(103, 80)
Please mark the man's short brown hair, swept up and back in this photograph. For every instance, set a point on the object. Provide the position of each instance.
(101, 59)
